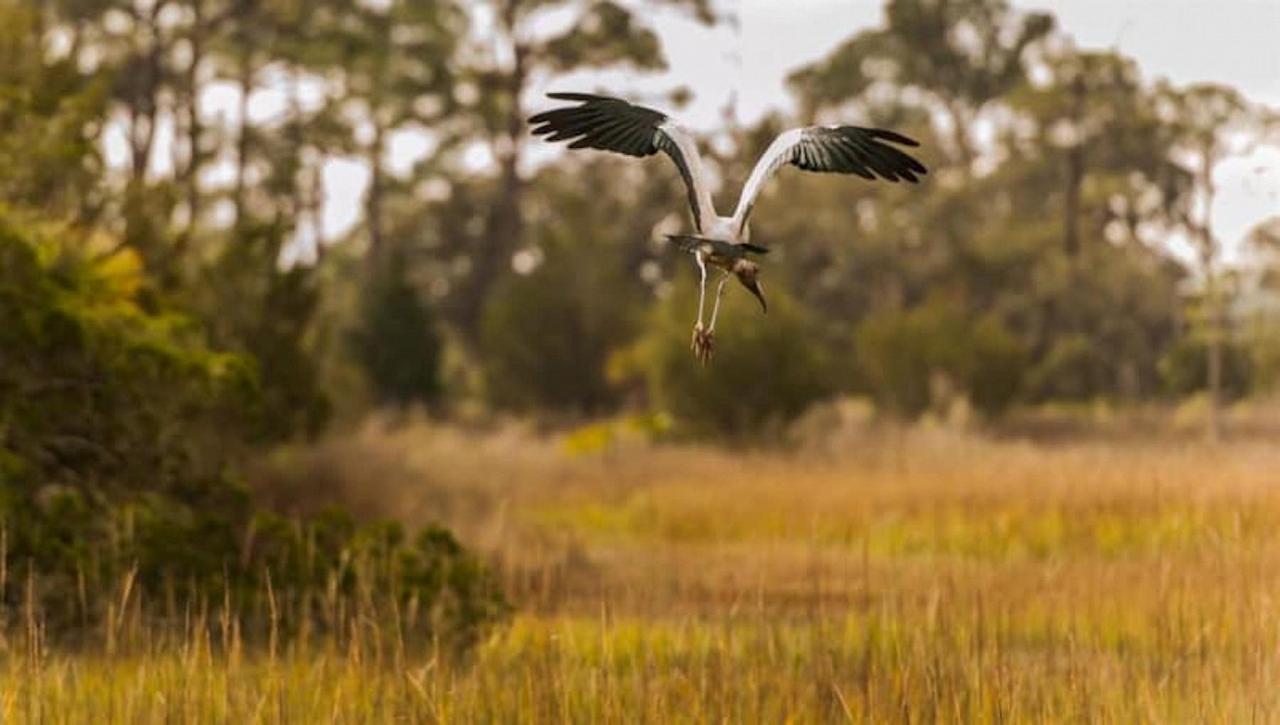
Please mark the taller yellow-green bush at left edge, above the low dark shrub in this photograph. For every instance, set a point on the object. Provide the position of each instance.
(98, 393)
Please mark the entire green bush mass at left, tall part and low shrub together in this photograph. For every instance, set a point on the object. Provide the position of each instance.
(121, 436)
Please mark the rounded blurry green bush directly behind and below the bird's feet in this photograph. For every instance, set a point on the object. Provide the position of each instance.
(766, 373)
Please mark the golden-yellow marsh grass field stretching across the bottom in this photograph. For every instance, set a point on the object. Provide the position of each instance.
(894, 577)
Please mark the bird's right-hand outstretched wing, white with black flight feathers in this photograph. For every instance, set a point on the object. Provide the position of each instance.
(833, 149)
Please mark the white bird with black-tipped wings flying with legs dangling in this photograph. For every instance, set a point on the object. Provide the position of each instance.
(724, 243)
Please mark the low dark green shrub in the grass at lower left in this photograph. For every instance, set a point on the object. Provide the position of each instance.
(272, 574)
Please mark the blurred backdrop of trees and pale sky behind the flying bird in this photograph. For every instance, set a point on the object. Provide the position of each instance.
(345, 198)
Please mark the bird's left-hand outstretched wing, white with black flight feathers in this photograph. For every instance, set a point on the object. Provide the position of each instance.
(614, 125)
